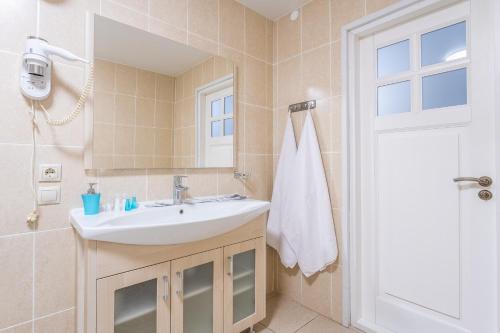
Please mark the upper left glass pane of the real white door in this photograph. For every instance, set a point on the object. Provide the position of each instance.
(393, 59)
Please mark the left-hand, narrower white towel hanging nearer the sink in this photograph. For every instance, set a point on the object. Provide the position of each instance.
(279, 201)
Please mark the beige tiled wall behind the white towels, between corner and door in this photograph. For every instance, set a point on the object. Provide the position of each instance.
(307, 66)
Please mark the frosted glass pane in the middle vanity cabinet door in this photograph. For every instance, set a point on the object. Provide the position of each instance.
(198, 299)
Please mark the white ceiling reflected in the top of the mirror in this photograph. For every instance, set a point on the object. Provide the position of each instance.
(123, 44)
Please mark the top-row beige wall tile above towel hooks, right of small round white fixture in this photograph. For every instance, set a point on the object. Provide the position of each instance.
(315, 24)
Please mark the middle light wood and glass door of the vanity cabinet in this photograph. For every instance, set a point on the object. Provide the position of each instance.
(197, 299)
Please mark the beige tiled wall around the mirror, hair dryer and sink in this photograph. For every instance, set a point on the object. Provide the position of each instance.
(37, 284)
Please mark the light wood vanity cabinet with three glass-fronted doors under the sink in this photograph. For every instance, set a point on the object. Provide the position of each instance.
(216, 285)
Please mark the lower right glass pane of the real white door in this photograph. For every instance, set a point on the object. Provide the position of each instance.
(444, 89)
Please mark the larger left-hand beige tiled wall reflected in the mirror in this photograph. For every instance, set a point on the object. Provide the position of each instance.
(133, 117)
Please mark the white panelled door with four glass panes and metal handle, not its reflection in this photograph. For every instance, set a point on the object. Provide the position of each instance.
(426, 117)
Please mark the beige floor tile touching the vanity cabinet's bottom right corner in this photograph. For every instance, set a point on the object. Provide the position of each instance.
(286, 316)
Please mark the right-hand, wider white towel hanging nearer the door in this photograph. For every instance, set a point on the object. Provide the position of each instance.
(309, 221)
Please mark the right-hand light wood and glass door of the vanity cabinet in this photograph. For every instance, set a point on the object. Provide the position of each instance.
(244, 285)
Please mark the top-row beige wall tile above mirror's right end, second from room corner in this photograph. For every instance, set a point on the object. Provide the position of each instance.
(232, 16)
